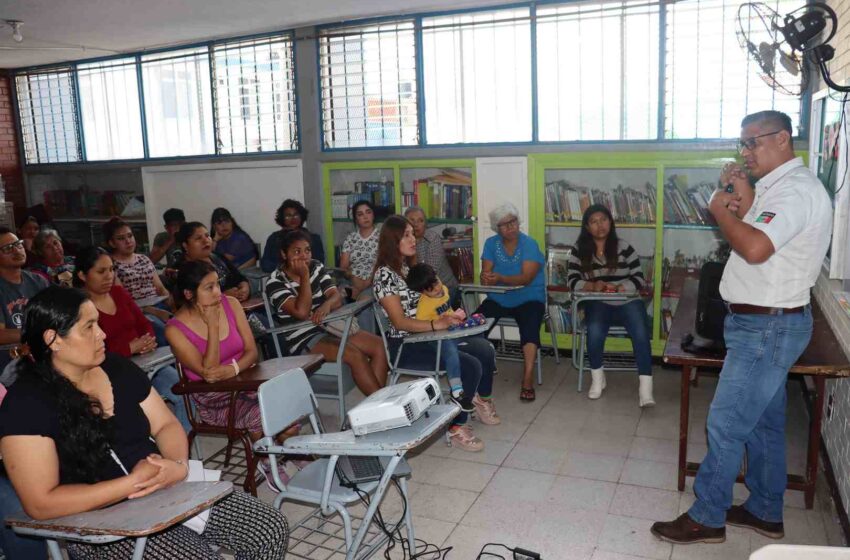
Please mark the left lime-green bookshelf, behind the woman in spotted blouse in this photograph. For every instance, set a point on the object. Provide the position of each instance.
(444, 189)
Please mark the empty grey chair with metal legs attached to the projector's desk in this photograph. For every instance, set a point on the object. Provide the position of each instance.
(285, 400)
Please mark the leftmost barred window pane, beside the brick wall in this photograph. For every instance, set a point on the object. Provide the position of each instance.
(48, 116)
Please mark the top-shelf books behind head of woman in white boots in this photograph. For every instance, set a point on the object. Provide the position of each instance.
(567, 202)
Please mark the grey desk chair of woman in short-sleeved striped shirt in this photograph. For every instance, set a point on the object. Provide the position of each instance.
(333, 380)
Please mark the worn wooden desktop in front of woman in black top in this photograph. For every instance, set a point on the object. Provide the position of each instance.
(137, 519)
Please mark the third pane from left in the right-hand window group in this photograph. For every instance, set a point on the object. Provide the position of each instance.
(597, 71)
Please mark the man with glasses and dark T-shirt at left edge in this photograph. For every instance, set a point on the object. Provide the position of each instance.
(17, 286)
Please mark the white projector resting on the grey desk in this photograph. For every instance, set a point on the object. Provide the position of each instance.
(393, 407)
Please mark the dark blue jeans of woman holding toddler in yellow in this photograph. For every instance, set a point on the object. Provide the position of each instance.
(477, 360)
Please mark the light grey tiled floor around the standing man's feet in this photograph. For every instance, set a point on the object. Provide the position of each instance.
(572, 478)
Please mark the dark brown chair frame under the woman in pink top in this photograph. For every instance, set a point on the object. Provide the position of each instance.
(186, 387)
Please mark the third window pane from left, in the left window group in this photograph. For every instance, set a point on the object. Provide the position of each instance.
(178, 102)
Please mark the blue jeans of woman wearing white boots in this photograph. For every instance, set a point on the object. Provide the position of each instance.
(600, 316)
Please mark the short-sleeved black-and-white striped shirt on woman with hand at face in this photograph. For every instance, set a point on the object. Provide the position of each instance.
(280, 289)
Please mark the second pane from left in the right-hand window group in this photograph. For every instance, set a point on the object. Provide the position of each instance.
(477, 70)
